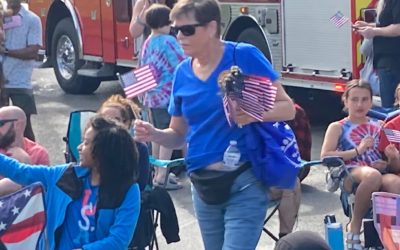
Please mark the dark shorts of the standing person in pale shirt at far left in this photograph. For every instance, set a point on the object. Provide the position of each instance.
(22, 98)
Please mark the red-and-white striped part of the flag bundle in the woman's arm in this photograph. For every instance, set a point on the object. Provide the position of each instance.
(257, 95)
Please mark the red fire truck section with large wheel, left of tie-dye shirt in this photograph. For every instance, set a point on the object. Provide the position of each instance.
(86, 41)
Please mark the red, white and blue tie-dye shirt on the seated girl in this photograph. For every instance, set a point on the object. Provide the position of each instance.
(351, 137)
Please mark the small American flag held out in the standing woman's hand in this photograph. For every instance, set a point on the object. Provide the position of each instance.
(138, 81)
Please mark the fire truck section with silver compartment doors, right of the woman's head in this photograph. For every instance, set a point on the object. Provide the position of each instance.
(314, 56)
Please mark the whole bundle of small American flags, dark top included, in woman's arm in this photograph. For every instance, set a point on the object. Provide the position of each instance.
(252, 94)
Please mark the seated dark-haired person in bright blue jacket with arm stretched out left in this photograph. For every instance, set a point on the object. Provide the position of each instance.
(85, 209)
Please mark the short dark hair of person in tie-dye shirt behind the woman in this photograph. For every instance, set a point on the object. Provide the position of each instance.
(157, 16)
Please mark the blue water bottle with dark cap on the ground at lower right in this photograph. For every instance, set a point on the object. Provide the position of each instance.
(333, 233)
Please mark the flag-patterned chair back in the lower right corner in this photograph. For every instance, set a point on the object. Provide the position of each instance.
(386, 207)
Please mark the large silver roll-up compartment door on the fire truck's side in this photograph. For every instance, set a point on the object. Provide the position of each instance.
(312, 42)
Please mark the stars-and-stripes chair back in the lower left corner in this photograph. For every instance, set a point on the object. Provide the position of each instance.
(22, 218)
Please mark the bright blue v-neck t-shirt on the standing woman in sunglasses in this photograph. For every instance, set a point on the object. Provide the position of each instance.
(200, 104)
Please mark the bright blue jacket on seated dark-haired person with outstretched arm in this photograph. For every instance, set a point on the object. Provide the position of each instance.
(62, 185)
